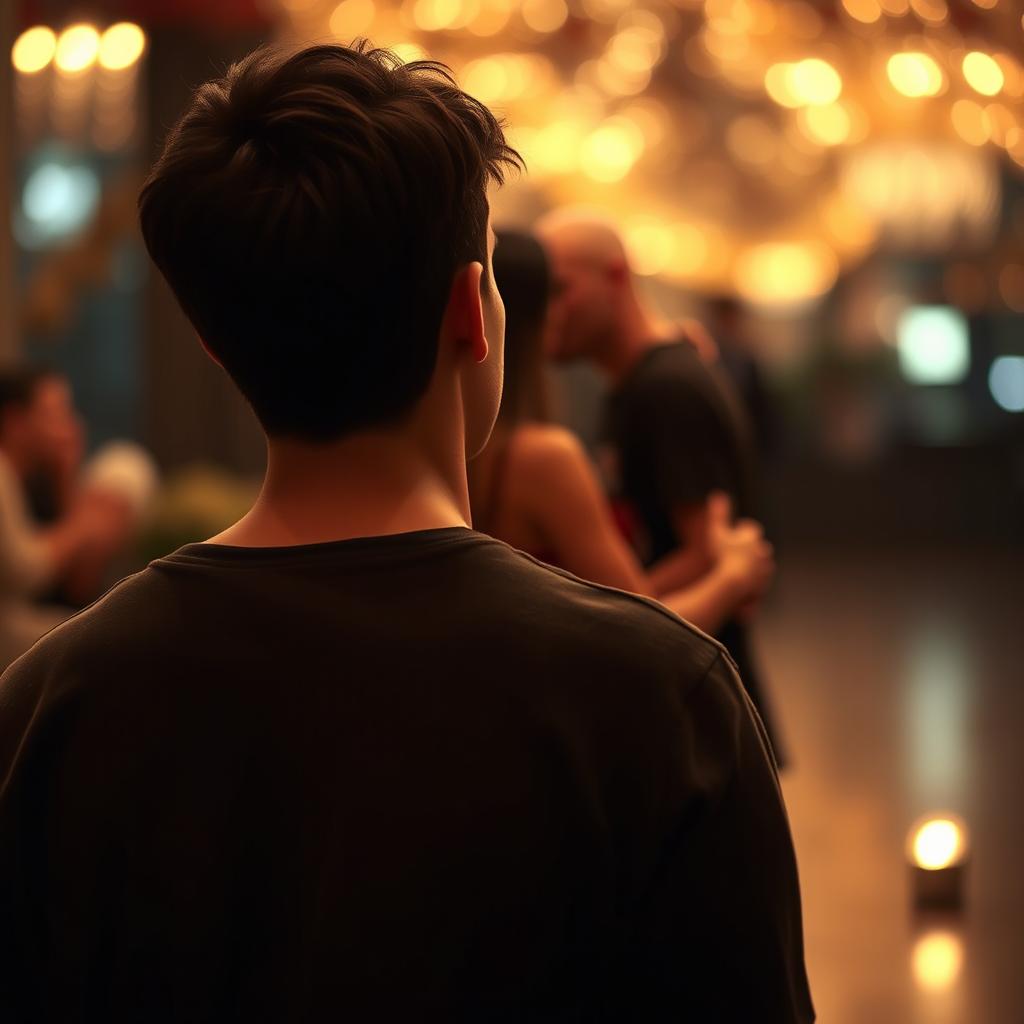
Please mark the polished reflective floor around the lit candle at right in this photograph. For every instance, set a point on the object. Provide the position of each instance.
(900, 679)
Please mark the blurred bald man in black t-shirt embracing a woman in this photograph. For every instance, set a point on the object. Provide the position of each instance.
(674, 430)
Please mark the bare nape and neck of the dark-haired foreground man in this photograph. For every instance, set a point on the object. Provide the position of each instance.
(372, 485)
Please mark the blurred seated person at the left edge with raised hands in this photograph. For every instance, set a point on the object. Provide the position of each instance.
(41, 438)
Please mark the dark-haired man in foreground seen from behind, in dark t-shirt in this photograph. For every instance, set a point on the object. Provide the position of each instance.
(350, 759)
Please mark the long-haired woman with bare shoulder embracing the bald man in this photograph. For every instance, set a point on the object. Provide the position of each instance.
(534, 486)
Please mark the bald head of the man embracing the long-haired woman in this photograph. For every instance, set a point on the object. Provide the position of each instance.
(592, 282)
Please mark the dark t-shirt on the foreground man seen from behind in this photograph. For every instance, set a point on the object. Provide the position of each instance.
(412, 778)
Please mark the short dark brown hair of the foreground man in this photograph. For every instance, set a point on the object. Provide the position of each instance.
(311, 211)
